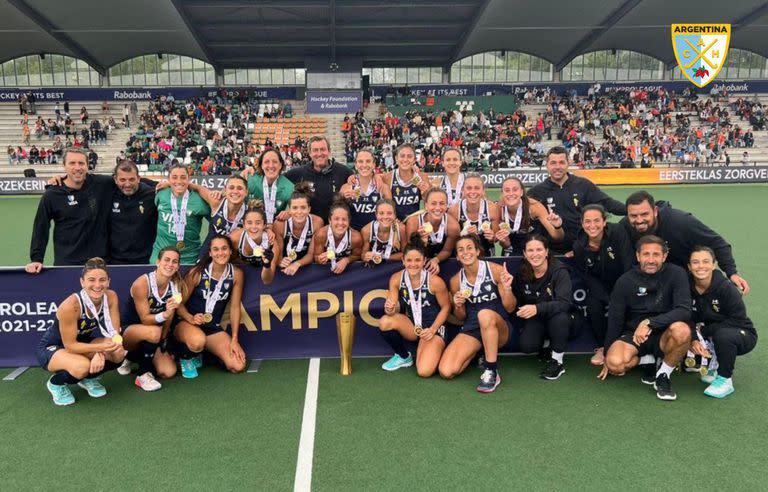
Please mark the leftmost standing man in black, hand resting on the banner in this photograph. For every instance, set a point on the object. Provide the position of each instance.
(80, 220)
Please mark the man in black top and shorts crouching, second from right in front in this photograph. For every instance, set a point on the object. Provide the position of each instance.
(648, 314)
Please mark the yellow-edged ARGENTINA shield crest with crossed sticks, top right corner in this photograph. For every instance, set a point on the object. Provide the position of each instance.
(700, 50)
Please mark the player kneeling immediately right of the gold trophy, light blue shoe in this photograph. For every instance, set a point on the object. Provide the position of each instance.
(416, 309)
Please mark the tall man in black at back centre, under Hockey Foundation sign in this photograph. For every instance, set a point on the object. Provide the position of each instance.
(327, 177)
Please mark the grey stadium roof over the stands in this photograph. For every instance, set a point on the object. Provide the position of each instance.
(275, 33)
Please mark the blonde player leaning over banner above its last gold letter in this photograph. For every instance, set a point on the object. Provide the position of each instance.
(386, 235)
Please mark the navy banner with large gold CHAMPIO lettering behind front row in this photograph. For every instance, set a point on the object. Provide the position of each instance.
(294, 317)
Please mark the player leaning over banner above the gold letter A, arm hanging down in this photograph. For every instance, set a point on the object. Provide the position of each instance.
(253, 242)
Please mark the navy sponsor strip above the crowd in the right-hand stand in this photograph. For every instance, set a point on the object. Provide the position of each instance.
(581, 88)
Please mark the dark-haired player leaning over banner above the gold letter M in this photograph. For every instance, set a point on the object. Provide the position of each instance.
(298, 231)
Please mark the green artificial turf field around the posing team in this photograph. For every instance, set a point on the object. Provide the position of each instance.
(390, 431)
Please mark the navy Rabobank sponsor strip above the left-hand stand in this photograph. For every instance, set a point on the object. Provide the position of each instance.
(139, 93)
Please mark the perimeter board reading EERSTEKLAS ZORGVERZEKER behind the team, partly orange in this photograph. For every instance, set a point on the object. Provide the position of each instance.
(529, 177)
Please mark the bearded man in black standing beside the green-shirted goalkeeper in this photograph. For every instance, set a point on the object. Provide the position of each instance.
(133, 217)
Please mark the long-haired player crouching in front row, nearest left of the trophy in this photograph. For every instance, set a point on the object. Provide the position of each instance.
(212, 283)
